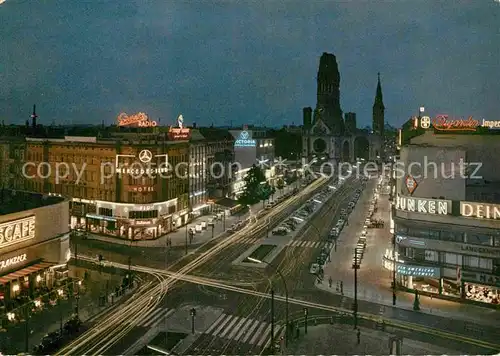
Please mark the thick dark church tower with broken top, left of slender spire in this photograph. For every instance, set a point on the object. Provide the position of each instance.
(328, 93)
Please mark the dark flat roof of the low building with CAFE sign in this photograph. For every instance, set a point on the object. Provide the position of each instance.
(14, 201)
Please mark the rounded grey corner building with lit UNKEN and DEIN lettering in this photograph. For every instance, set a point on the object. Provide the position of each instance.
(447, 213)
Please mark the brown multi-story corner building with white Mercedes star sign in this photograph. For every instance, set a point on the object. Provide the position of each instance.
(131, 184)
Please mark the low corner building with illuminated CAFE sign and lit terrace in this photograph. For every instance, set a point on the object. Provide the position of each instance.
(34, 248)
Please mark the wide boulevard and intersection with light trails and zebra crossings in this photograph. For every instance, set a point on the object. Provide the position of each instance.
(234, 300)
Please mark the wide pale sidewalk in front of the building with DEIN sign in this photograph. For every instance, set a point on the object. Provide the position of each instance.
(374, 281)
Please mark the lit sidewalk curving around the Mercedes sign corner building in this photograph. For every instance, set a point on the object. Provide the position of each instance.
(178, 237)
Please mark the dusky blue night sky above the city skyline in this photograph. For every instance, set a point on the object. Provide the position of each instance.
(254, 62)
